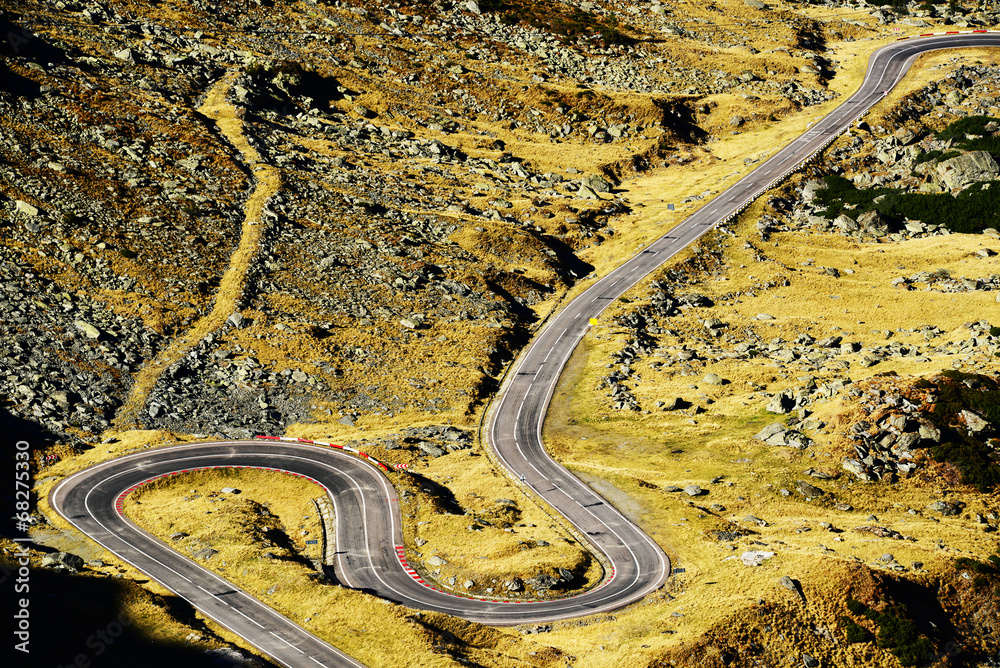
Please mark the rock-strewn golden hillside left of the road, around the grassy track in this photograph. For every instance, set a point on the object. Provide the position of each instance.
(417, 198)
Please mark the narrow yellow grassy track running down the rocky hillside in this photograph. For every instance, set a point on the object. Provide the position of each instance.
(233, 281)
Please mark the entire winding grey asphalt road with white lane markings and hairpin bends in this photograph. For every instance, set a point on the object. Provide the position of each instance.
(368, 535)
